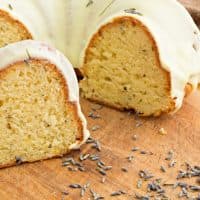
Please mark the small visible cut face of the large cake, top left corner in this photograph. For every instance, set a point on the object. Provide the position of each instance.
(11, 30)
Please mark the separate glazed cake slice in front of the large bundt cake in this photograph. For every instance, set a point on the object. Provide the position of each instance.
(40, 113)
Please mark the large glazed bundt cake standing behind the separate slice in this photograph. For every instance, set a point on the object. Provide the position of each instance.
(133, 54)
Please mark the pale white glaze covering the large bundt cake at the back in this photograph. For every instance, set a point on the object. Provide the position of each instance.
(69, 24)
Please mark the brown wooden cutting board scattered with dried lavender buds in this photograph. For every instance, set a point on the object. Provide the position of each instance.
(118, 134)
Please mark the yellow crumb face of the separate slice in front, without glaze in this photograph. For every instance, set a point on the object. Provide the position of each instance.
(37, 120)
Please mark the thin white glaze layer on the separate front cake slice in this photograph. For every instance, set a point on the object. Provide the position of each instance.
(22, 50)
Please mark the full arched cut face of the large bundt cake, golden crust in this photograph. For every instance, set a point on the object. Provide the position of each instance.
(122, 69)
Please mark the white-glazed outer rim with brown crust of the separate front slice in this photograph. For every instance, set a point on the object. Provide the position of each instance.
(35, 50)
